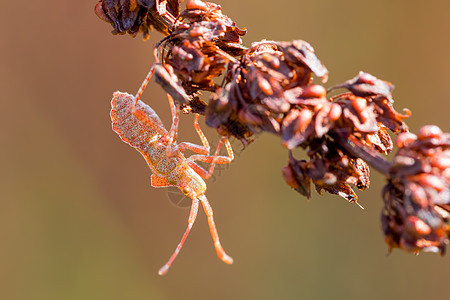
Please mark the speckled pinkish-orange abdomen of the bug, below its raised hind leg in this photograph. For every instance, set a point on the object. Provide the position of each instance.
(130, 129)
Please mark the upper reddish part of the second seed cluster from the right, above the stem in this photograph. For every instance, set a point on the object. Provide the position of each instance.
(365, 118)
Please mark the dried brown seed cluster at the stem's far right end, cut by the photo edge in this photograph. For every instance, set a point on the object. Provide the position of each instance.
(416, 213)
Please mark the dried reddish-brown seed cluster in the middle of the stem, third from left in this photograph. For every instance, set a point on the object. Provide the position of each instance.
(262, 88)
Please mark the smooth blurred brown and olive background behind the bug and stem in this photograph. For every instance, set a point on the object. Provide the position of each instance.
(79, 219)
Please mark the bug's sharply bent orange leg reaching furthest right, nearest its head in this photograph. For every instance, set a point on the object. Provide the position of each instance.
(212, 159)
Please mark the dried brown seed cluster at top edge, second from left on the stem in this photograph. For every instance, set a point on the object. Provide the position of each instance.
(200, 46)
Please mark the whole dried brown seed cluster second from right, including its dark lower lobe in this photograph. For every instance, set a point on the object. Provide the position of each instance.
(323, 127)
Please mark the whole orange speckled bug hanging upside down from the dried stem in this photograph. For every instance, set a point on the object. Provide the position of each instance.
(138, 125)
